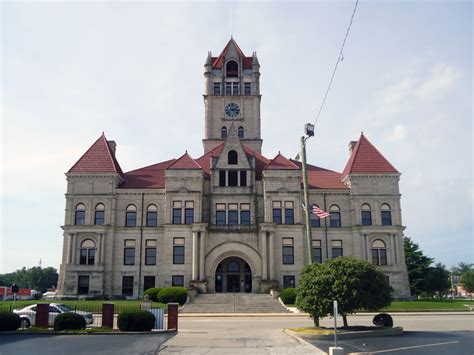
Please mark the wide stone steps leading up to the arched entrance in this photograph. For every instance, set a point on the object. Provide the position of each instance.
(234, 303)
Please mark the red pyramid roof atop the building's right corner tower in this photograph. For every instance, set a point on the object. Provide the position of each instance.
(365, 158)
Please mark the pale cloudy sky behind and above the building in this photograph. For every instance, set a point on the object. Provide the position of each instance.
(134, 70)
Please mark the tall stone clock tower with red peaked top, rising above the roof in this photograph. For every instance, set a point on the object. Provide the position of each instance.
(232, 96)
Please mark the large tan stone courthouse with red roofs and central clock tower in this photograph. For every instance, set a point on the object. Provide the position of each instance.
(230, 220)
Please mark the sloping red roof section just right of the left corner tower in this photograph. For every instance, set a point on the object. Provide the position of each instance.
(149, 177)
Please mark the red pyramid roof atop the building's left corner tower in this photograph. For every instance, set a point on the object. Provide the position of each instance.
(98, 159)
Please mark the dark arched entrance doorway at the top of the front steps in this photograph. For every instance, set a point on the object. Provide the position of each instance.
(233, 275)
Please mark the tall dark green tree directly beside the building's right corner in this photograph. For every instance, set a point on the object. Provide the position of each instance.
(417, 266)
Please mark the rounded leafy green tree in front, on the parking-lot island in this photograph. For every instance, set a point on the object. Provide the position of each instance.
(355, 284)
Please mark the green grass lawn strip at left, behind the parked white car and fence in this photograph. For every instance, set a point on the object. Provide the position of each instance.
(90, 306)
